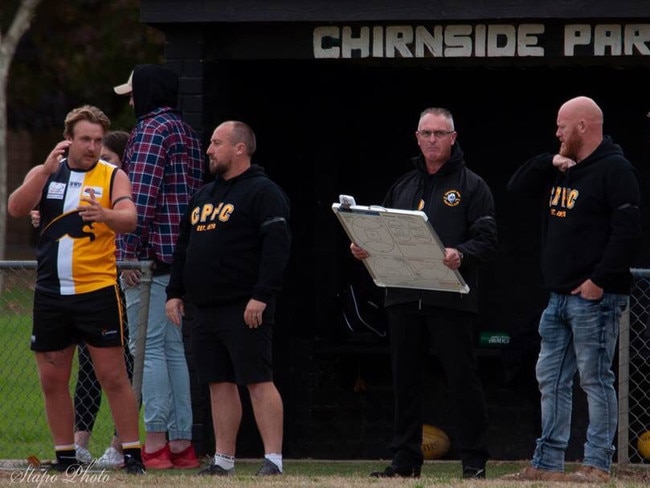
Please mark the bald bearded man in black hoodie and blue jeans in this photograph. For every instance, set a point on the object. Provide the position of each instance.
(590, 234)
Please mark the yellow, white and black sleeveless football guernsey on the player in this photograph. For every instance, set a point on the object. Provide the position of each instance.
(75, 256)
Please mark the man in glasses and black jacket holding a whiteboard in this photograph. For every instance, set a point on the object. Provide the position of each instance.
(460, 207)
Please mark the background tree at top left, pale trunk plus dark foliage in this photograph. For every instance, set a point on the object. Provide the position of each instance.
(73, 53)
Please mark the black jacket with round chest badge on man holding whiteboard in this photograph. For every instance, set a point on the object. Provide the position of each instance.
(460, 207)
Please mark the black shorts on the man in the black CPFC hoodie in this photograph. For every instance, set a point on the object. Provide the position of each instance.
(225, 349)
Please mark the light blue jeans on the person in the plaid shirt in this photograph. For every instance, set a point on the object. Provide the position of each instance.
(165, 378)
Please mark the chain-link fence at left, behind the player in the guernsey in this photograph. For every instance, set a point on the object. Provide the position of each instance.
(23, 426)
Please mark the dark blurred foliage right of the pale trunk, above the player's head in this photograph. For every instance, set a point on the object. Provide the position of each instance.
(74, 53)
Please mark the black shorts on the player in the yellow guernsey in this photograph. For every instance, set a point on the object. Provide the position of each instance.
(63, 320)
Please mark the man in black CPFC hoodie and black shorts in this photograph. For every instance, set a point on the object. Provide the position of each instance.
(230, 259)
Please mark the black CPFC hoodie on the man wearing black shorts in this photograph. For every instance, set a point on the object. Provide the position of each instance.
(234, 242)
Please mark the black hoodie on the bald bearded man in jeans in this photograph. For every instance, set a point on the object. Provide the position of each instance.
(592, 228)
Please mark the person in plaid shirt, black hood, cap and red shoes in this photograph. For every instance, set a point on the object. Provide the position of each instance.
(165, 164)
